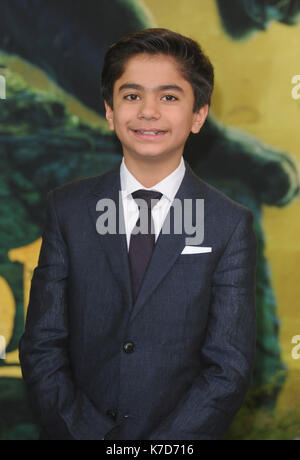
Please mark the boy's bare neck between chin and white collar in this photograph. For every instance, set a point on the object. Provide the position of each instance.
(149, 173)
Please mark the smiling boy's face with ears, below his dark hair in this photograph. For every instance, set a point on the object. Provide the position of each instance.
(153, 108)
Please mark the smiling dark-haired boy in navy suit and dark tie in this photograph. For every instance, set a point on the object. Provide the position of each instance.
(143, 334)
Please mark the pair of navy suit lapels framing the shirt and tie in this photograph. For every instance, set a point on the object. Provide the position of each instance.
(168, 246)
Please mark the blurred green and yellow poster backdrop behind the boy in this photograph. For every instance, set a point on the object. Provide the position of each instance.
(52, 131)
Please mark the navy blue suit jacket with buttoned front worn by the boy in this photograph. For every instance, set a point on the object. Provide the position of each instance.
(191, 329)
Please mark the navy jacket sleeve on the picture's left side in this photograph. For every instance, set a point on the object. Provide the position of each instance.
(64, 411)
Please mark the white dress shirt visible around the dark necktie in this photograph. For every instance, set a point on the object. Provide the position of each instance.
(168, 187)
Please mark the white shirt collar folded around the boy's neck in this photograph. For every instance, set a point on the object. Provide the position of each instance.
(168, 186)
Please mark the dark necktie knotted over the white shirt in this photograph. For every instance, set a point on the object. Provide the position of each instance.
(141, 245)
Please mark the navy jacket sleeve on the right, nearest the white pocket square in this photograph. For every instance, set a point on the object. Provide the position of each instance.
(207, 409)
